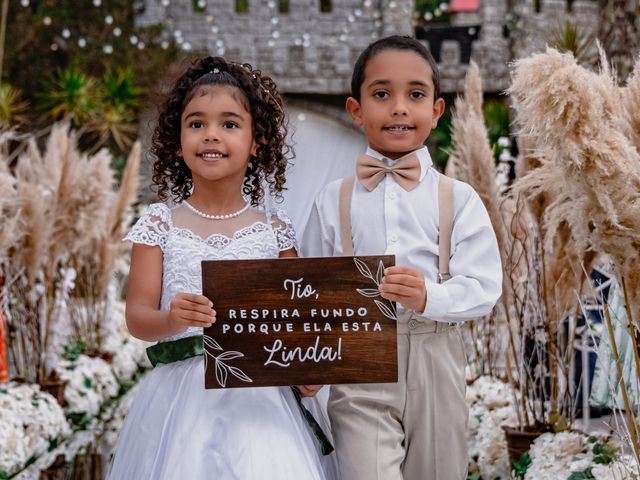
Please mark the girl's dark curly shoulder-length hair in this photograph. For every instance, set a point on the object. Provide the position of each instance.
(262, 101)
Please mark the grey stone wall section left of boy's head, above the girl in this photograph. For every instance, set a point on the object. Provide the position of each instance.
(305, 50)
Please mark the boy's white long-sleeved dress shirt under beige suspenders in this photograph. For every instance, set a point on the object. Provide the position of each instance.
(391, 220)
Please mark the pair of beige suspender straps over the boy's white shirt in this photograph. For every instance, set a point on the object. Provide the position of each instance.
(445, 207)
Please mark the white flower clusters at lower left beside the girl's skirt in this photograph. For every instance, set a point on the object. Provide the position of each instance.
(36, 429)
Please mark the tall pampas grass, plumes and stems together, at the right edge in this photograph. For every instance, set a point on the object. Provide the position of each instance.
(583, 128)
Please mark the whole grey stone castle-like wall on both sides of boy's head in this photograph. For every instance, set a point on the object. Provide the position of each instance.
(308, 51)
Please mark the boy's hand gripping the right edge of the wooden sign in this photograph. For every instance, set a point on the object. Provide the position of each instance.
(406, 286)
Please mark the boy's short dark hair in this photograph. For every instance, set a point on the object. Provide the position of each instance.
(393, 42)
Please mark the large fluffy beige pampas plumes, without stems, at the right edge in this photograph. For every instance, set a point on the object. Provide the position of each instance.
(574, 116)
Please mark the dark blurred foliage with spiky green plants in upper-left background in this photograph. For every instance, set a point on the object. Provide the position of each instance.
(97, 69)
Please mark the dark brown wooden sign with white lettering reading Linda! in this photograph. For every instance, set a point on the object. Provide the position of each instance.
(297, 321)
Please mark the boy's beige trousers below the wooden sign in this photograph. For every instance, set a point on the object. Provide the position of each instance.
(414, 429)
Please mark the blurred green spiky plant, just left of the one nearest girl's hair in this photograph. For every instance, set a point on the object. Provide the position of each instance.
(71, 94)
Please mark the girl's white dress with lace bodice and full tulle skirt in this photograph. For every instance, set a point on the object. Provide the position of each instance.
(175, 428)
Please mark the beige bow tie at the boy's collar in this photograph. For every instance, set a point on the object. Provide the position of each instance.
(405, 171)
